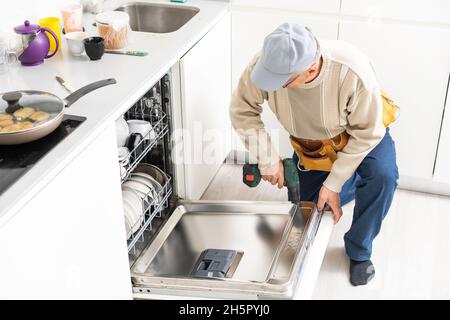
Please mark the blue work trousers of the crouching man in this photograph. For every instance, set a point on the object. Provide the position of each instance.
(372, 187)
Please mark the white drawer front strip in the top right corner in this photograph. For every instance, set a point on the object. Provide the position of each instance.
(437, 11)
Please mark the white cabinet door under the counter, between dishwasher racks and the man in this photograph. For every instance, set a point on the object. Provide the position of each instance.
(206, 91)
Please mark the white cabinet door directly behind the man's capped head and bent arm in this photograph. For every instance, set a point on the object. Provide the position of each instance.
(249, 29)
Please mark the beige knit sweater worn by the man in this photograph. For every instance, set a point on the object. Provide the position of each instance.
(344, 96)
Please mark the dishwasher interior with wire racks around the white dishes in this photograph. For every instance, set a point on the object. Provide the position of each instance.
(153, 149)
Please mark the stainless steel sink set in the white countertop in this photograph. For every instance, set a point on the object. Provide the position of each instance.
(158, 18)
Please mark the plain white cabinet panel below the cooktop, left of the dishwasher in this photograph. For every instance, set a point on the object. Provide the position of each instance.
(69, 241)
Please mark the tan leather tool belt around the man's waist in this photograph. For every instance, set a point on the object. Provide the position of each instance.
(320, 154)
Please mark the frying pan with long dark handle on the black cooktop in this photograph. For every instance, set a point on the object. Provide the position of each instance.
(11, 102)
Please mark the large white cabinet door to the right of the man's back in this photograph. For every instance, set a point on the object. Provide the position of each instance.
(412, 64)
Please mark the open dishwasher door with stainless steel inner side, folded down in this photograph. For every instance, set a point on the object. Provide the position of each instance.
(236, 250)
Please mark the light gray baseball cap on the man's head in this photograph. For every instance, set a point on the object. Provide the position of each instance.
(290, 48)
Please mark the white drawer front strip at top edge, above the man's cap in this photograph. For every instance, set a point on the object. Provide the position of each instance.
(322, 6)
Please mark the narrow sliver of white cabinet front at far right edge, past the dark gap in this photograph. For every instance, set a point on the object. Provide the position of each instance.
(442, 169)
